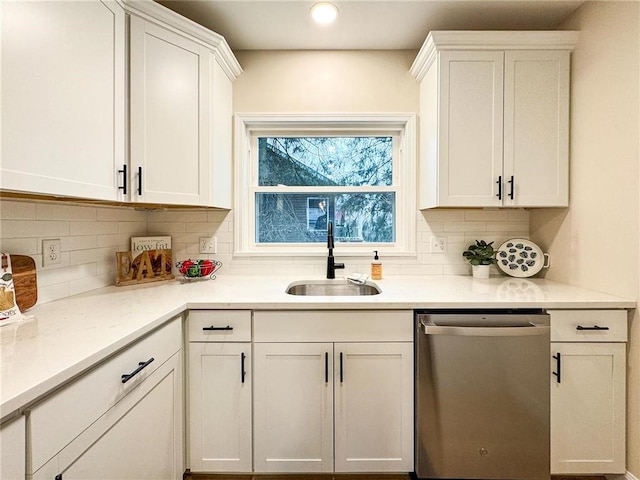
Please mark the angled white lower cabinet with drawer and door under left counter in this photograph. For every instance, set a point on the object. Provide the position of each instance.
(138, 437)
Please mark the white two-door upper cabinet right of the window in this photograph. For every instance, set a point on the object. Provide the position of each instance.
(494, 119)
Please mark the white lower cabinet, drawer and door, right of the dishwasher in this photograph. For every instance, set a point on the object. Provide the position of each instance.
(588, 392)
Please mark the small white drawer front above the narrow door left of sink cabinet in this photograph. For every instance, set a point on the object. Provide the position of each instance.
(219, 325)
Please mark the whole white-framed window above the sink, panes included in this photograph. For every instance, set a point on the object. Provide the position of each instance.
(295, 174)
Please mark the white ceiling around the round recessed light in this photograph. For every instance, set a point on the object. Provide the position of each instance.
(364, 24)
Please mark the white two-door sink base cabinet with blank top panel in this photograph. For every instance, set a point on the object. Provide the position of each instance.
(344, 403)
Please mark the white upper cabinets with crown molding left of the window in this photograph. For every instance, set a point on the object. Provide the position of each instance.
(74, 123)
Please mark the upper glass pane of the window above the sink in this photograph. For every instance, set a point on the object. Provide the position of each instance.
(325, 161)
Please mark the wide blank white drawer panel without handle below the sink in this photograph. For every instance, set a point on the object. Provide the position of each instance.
(333, 326)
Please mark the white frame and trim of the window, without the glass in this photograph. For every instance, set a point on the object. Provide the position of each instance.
(249, 126)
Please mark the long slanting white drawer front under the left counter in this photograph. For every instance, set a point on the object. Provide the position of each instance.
(64, 415)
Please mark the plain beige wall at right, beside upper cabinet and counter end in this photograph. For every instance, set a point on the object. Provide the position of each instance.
(595, 243)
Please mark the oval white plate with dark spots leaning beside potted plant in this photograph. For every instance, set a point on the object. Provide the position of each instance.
(520, 257)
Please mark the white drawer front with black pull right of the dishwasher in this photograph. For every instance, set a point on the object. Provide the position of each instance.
(588, 325)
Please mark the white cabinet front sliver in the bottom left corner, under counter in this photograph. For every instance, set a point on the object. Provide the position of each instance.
(13, 450)
